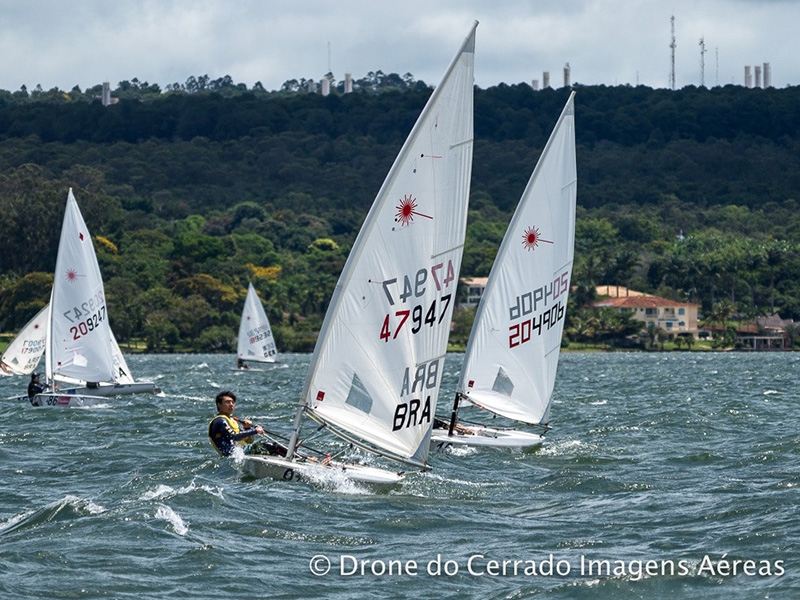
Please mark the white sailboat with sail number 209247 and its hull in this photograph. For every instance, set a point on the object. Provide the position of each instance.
(82, 358)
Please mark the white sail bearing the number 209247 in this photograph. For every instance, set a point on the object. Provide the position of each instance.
(79, 338)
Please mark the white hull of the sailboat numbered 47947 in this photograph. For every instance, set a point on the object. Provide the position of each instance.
(281, 469)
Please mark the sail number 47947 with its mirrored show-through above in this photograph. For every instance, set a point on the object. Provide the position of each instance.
(413, 287)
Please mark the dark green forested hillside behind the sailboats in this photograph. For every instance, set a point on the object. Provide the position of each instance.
(690, 194)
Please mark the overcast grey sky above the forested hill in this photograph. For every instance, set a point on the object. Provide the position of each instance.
(58, 43)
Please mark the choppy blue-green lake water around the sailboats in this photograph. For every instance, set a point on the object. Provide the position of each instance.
(664, 472)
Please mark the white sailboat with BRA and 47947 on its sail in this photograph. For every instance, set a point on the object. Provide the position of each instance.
(375, 373)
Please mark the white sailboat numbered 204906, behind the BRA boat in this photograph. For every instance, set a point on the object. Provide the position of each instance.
(510, 363)
